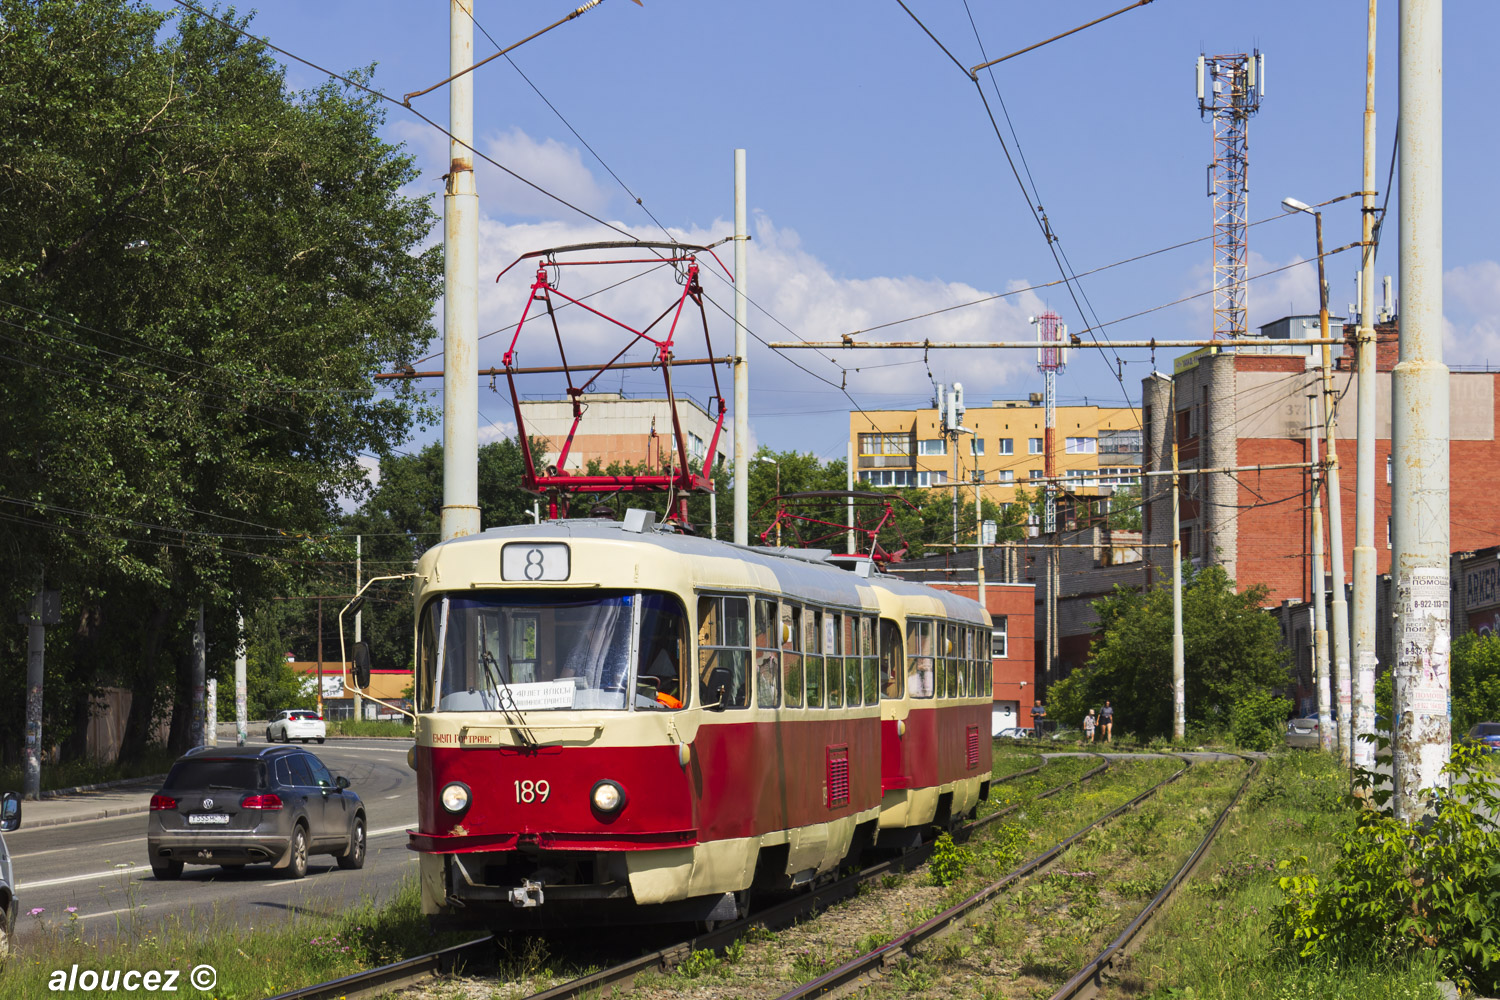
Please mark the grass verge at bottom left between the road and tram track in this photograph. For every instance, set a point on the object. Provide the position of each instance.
(251, 963)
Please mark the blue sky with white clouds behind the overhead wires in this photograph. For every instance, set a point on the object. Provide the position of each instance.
(878, 188)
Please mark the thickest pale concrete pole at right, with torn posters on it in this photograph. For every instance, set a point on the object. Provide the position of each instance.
(1420, 503)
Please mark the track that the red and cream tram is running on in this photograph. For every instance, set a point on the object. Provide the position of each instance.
(410, 972)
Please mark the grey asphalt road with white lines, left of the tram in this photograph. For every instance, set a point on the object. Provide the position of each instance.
(101, 867)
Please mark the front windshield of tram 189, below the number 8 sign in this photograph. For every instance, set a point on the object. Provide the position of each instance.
(544, 650)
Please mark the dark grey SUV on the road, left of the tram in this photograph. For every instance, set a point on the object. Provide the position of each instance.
(242, 806)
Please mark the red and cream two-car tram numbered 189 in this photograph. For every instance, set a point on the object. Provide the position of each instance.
(617, 722)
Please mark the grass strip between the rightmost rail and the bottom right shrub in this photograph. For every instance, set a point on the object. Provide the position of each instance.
(1214, 944)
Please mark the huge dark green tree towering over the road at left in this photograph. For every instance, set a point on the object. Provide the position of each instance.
(199, 272)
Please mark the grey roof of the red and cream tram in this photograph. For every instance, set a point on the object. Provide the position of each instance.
(802, 572)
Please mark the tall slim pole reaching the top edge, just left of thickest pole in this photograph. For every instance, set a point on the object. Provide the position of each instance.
(1366, 563)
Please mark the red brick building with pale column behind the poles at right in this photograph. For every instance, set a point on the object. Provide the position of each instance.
(1249, 406)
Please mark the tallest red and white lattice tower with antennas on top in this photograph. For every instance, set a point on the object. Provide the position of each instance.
(1231, 89)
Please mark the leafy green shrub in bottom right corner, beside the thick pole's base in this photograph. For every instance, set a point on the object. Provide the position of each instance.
(1405, 888)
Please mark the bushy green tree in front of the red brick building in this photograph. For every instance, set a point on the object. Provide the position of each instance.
(1232, 650)
